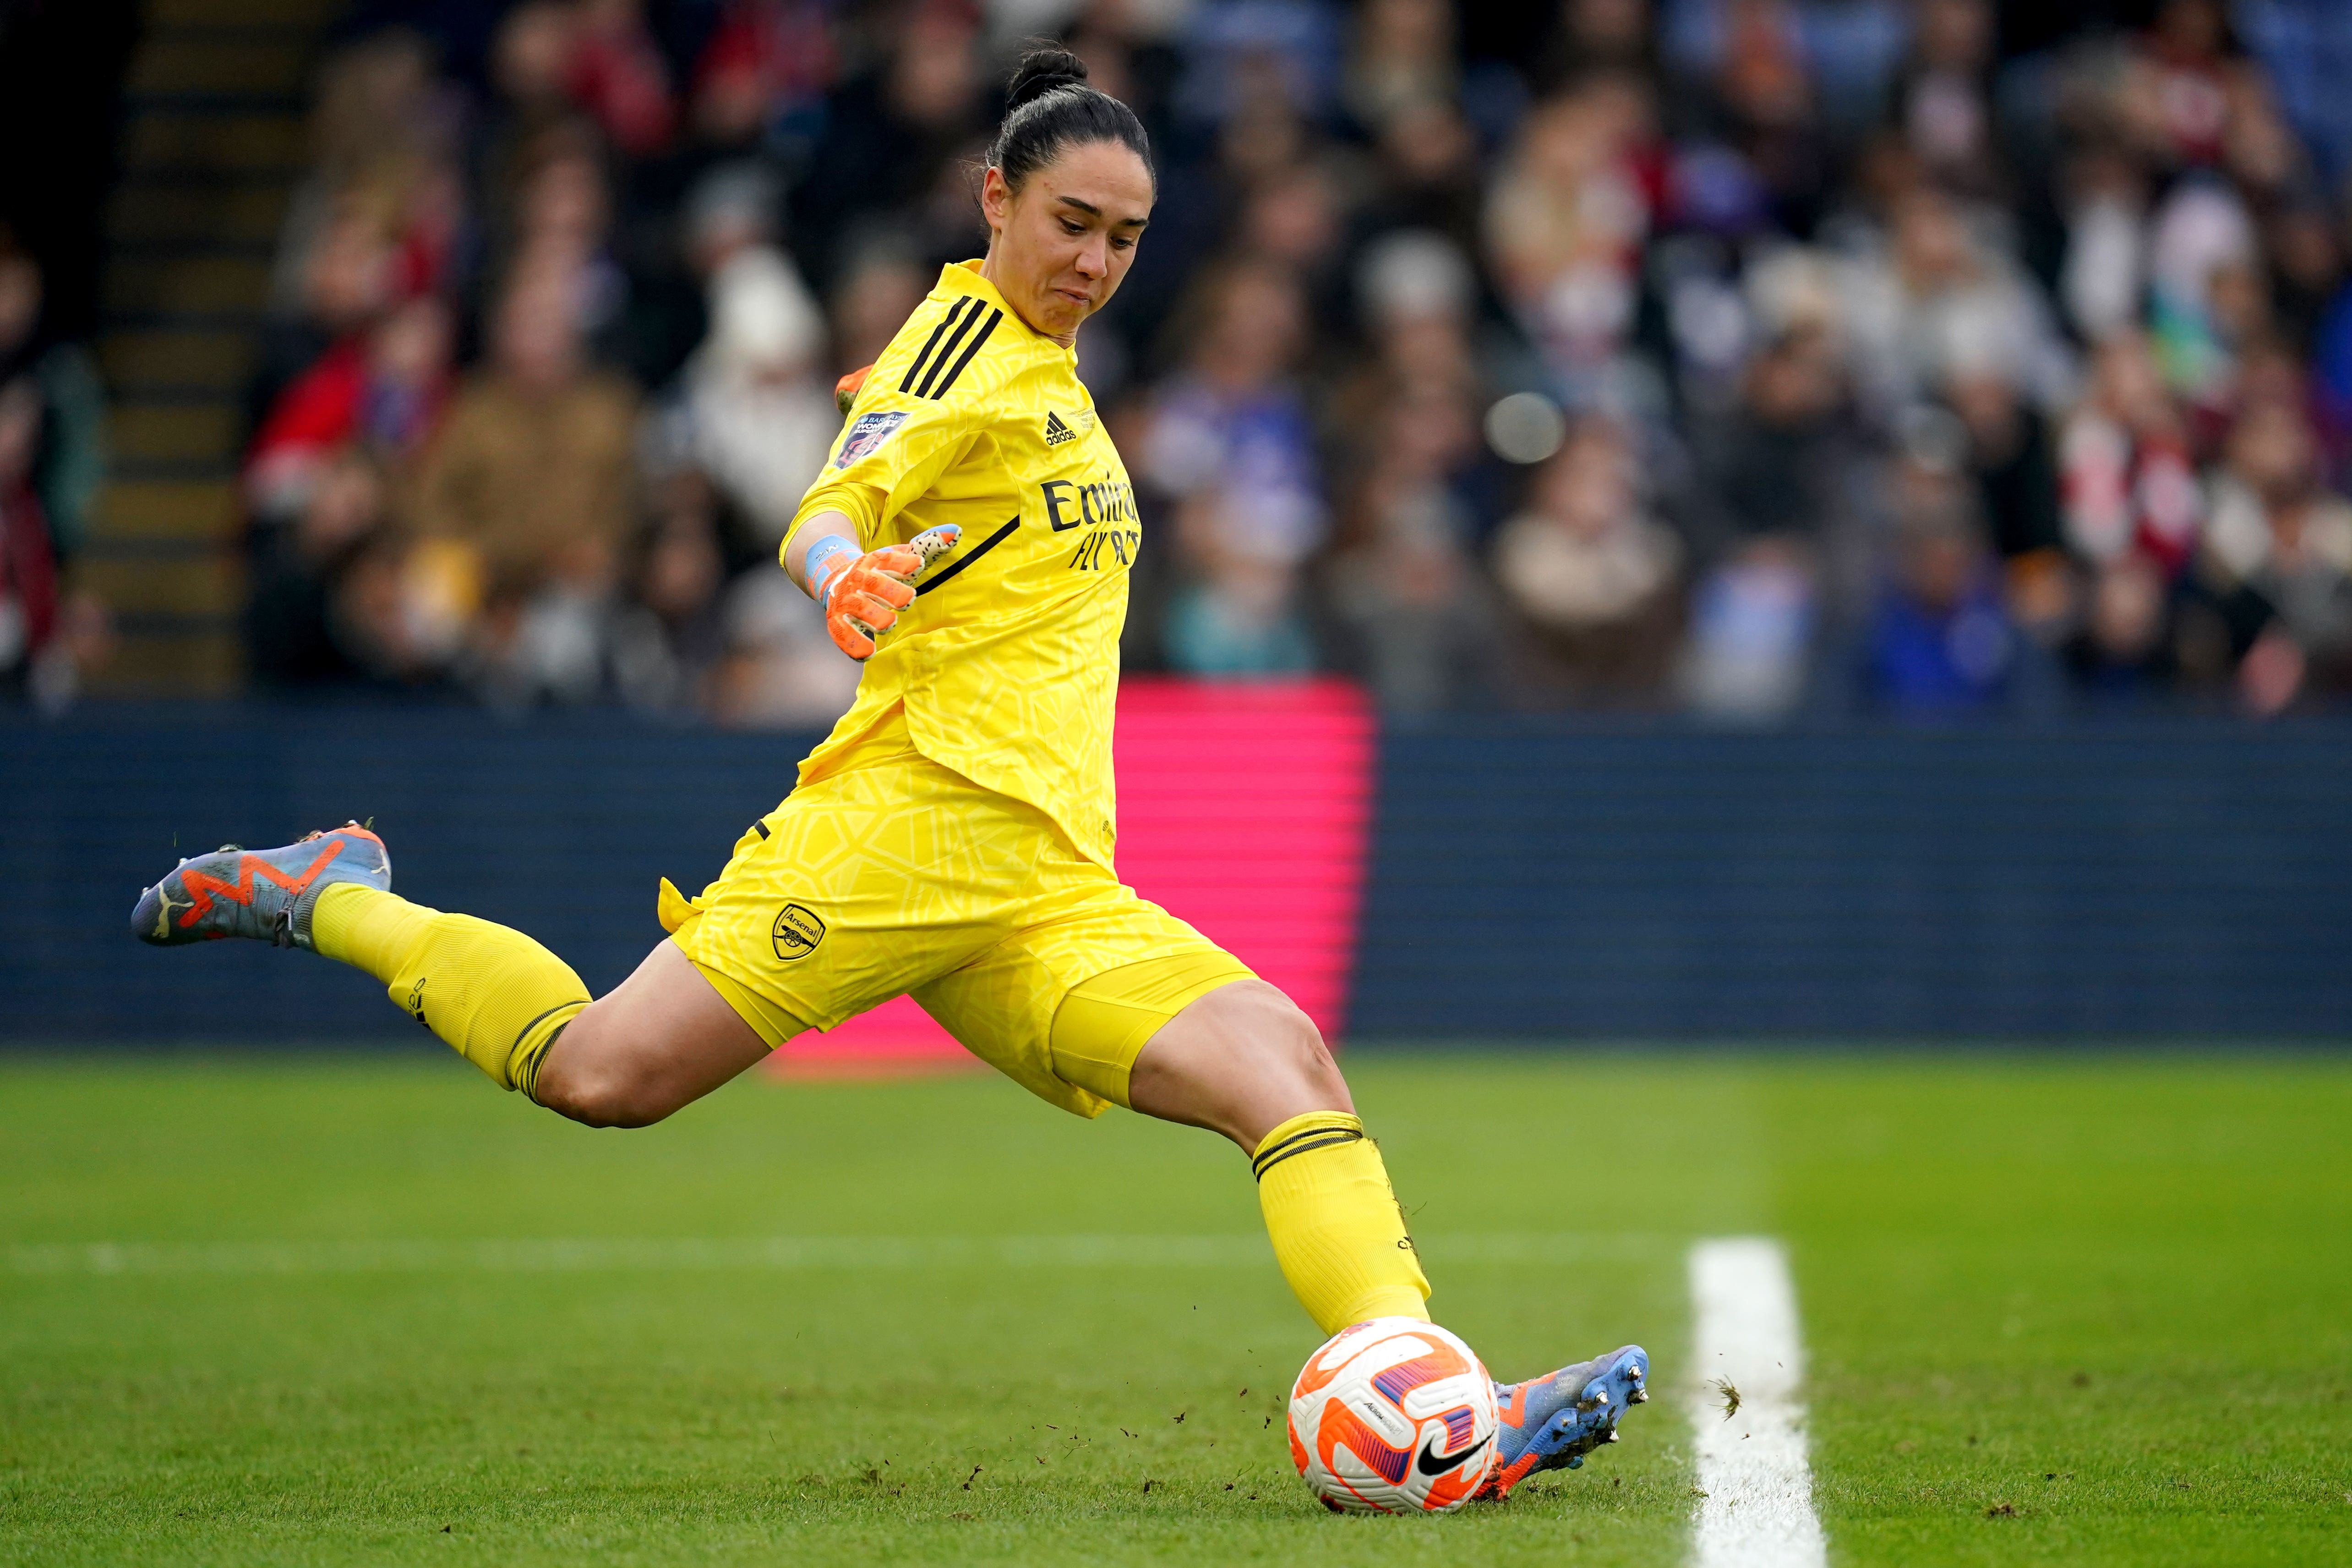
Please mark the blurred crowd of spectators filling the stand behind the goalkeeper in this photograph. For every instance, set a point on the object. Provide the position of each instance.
(1735, 356)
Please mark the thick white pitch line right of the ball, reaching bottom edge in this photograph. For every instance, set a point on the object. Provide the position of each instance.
(1758, 1506)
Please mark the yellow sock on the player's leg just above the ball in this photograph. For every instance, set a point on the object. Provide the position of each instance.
(1335, 1219)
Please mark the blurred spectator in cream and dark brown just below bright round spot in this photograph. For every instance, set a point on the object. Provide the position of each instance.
(1593, 577)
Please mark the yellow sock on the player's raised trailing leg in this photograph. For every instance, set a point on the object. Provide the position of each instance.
(493, 993)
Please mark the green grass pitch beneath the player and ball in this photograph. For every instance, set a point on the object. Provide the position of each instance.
(2071, 1311)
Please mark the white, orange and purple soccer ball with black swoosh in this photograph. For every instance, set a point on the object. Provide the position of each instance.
(1394, 1416)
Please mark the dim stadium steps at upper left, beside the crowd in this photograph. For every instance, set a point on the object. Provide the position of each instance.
(213, 145)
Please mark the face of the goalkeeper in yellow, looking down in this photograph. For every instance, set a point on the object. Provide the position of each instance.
(1062, 243)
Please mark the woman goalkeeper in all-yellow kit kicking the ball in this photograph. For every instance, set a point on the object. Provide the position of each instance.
(954, 838)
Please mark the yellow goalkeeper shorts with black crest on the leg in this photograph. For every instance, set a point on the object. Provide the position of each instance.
(895, 876)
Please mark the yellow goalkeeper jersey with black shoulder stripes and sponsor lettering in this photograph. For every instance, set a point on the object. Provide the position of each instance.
(1008, 662)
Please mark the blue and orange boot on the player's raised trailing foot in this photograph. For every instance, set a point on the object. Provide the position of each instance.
(265, 894)
